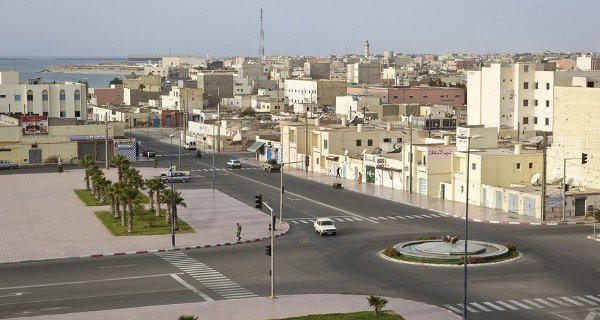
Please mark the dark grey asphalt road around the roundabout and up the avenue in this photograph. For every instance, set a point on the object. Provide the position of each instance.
(558, 277)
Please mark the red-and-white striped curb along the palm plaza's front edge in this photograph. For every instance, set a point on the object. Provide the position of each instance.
(113, 254)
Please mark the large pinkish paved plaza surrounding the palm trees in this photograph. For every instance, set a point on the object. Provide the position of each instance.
(42, 218)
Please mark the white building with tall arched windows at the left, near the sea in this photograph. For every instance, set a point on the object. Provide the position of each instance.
(51, 99)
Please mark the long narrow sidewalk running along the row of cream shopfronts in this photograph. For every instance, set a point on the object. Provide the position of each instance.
(451, 208)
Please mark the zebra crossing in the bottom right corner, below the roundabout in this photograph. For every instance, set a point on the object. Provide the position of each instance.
(527, 304)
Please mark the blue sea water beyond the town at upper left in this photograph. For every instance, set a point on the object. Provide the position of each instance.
(33, 68)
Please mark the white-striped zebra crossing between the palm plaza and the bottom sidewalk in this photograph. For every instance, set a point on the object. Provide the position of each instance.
(206, 275)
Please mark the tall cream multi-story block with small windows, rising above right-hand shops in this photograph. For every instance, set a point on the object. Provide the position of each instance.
(518, 96)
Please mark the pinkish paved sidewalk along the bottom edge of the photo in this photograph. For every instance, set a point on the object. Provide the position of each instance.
(265, 308)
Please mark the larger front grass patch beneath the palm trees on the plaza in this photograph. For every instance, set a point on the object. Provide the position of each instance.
(145, 224)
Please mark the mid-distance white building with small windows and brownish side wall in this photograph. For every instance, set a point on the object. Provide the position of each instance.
(320, 92)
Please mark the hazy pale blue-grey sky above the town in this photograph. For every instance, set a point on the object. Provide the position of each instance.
(302, 27)
